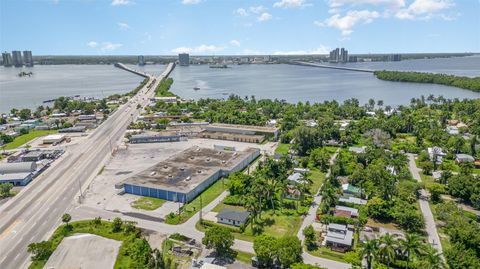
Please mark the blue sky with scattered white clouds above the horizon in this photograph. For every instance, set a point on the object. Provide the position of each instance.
(227, 27)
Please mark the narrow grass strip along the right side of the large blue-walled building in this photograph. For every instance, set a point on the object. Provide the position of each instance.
(206, 197)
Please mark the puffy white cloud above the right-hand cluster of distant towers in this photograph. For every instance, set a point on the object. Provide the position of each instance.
(347, 22)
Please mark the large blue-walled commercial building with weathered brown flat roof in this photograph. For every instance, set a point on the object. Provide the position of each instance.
(185, 175)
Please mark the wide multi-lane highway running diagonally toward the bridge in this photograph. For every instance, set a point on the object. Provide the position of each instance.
(34, 213)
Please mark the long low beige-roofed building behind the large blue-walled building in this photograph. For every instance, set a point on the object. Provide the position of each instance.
(271, 132)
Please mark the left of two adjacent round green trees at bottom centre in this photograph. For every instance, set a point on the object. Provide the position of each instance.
(266, 248)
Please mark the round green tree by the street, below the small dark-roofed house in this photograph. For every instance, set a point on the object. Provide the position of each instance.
(220, 239)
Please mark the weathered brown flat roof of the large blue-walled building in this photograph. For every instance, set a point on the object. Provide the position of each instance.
(186, 170)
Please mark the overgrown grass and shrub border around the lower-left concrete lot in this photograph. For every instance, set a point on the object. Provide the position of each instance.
(86, 226)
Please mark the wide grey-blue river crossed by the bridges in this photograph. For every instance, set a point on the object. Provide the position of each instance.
(290, 82)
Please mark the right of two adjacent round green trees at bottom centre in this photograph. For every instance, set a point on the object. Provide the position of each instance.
(289, 250)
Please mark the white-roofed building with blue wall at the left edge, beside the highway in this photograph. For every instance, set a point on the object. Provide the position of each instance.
(18, 174)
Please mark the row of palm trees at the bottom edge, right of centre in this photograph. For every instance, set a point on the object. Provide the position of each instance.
(389, 247)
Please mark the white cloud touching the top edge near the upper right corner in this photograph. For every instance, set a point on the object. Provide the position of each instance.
(425, 9)
